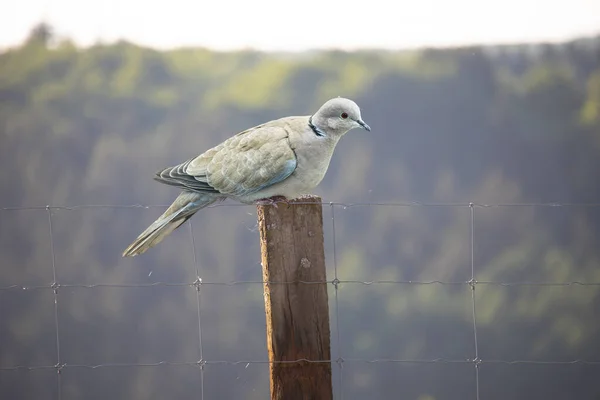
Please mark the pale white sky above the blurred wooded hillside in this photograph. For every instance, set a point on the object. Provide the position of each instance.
(304, 24)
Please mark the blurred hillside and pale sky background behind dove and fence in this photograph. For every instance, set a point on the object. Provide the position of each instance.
(496, 105)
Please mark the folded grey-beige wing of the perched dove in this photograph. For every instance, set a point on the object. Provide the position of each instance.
(243, 164)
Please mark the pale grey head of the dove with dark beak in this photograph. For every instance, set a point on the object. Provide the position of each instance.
(338, 116)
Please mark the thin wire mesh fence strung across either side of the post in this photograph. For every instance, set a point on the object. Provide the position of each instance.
(340, 360)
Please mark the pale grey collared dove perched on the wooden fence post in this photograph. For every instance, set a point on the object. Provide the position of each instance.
(275, 161)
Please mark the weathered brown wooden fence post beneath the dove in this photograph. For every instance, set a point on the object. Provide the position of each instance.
(291, 241)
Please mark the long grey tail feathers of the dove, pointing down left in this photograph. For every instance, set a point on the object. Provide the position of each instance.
(184, 206)
